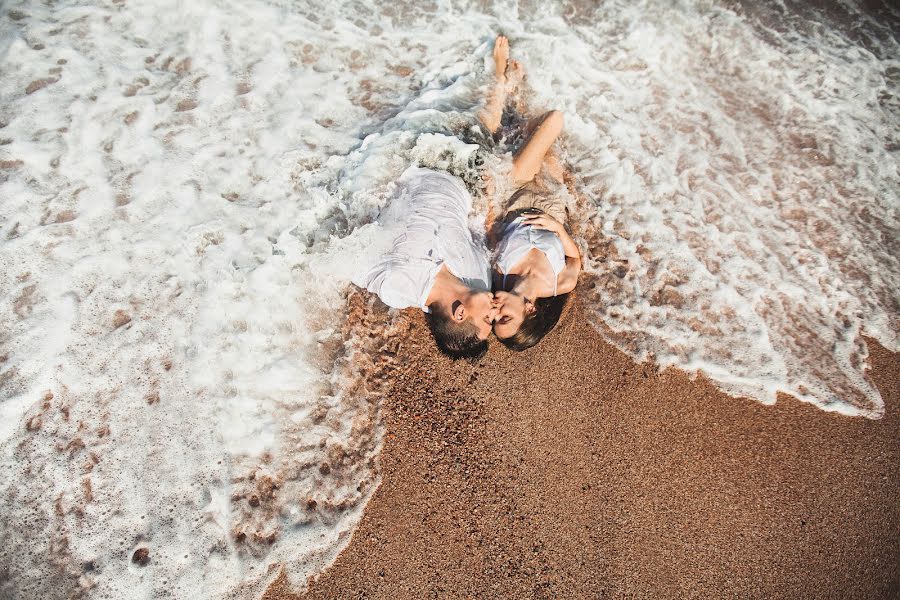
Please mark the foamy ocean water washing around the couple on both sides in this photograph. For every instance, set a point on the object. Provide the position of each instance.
(187, 188)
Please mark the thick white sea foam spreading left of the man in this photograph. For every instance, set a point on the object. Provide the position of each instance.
(196, 189)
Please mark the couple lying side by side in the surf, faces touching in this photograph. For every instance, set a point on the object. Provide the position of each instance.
(436, 264)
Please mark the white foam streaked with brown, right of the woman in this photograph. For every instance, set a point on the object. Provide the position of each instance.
(748, 195)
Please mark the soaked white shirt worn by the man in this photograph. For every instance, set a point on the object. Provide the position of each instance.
(432, 216)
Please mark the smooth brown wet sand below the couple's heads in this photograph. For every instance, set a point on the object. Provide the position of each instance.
(568, 471)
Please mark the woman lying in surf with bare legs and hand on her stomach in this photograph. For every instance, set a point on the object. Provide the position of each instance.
(536, 261)
